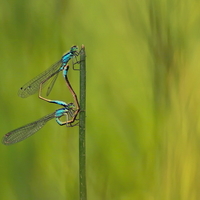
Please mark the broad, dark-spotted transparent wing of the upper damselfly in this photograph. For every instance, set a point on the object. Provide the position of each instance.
(33, 85)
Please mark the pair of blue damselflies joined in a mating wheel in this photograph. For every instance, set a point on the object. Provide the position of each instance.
(69, 110)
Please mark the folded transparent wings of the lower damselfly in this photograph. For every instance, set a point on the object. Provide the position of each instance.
(26, 131)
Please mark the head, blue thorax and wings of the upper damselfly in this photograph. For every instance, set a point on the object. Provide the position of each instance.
(33, 85)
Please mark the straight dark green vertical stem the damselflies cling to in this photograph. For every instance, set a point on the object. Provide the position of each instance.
(82, 155)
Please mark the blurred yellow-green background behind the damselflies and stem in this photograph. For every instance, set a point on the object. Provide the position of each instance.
(143, 72)
